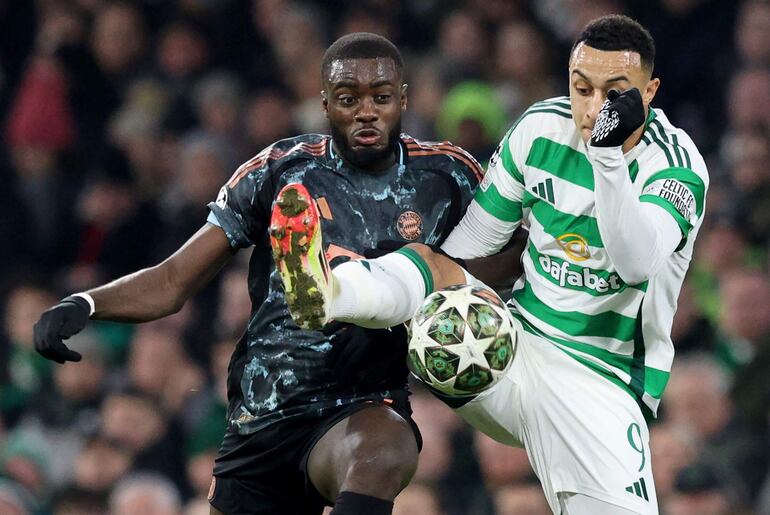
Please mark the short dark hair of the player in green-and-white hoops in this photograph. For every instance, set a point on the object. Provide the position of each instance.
(618, 32)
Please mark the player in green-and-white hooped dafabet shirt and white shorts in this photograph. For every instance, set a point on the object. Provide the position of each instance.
(613, 196)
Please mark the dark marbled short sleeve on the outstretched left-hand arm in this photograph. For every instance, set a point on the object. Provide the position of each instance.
(242, 208)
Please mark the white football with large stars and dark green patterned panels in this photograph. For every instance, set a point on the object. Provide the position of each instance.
(461, 340)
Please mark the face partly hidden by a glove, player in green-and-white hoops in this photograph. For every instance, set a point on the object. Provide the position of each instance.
(592, 73)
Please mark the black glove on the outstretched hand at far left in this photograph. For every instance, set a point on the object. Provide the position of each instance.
(58, 323)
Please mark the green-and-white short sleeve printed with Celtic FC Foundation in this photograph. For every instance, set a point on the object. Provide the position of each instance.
(679, 191)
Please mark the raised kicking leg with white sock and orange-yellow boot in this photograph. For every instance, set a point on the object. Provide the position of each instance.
(376, 293)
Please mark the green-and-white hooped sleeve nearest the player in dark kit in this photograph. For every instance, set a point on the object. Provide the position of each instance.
(496, 209)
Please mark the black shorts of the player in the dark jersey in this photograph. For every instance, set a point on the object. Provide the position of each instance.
(265, 473)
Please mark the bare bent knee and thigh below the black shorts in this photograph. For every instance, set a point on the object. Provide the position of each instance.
(373, 452)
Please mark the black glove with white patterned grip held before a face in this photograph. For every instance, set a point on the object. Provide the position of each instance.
(620, 116)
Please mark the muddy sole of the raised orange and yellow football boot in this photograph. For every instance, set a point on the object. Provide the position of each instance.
(295, 237)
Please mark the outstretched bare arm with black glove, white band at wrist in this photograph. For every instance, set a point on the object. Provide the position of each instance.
(145, 295)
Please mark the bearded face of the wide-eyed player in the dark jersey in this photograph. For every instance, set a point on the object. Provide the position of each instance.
(363, 100)
